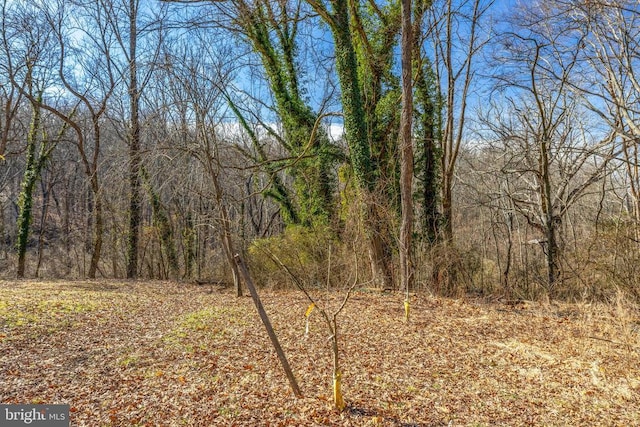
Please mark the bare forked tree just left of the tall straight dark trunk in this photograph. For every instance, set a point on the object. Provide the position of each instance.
(92, 87)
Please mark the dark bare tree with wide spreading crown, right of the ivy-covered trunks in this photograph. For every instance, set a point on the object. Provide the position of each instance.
(552, 157)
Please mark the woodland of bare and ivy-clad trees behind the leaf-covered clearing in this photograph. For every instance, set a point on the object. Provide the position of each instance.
(141, 138)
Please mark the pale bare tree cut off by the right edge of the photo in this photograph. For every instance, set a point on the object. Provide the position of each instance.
(610, 58)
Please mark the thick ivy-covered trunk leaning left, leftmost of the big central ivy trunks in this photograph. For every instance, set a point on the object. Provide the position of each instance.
(272, 34)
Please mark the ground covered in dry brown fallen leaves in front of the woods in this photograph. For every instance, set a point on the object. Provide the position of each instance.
(167, 354)
